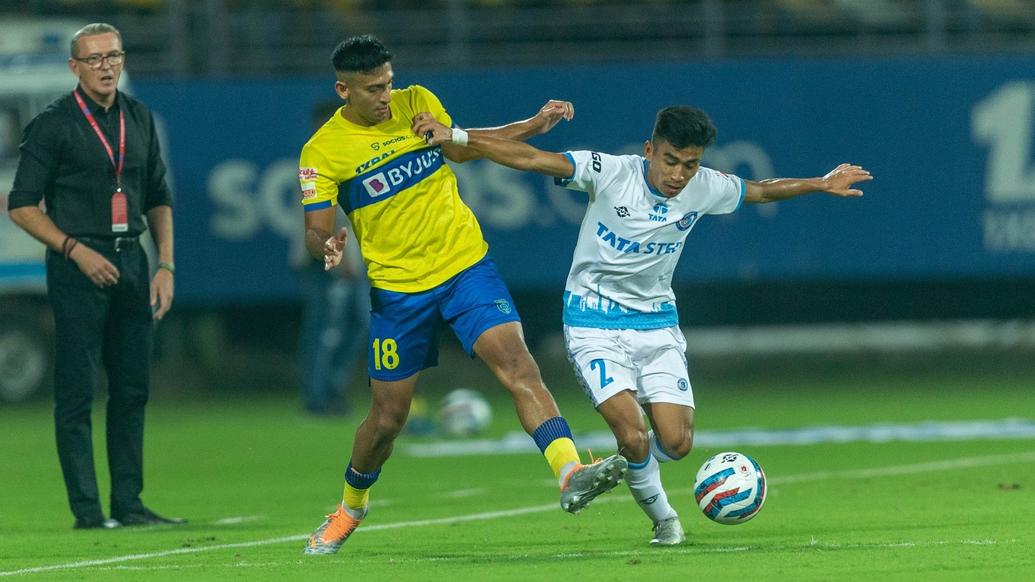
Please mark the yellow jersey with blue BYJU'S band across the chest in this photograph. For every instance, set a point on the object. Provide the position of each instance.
(413, 229)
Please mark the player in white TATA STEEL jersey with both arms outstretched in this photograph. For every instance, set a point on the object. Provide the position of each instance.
(620, 321)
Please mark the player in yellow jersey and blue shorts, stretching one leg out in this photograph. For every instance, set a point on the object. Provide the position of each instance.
(429, 267)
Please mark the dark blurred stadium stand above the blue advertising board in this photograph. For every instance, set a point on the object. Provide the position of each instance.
(221, 39)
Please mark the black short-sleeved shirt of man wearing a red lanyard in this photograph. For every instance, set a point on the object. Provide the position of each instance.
(65, 164)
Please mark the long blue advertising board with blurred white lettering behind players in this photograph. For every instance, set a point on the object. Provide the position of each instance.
(949, 140)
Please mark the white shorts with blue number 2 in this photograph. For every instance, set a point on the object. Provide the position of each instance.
(650, 363)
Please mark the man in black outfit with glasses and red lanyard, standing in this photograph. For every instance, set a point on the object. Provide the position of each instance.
(94, 158)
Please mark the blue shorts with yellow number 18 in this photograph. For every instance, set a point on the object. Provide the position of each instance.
(405, 327)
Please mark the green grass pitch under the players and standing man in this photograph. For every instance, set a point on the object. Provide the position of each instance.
(254, 478)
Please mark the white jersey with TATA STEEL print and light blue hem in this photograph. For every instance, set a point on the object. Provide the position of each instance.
(632, 239)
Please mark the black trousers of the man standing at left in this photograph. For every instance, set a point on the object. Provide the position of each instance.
(110, 328)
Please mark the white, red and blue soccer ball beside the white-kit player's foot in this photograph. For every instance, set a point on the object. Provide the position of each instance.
(730, 488)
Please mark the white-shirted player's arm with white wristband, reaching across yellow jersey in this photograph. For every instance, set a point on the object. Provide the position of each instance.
(509, 153)
